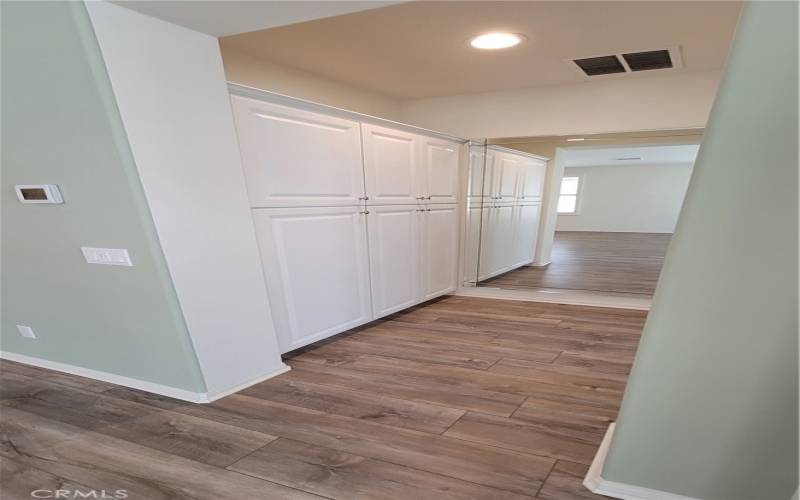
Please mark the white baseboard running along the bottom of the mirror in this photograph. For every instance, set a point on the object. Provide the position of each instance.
(557, 297)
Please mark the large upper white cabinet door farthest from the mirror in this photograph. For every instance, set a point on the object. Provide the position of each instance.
(298, 158)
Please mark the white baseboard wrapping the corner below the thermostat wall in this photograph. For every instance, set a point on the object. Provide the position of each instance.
(142, 385)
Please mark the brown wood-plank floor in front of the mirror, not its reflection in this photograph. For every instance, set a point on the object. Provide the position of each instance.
(460, 398)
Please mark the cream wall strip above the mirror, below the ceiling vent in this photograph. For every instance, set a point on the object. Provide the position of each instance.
(618, 105)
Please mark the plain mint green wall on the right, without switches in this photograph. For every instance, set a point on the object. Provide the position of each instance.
(711, 409)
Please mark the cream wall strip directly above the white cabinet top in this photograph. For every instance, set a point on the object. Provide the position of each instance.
(247, 70)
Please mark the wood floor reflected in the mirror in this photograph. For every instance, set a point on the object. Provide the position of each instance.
(614, 263)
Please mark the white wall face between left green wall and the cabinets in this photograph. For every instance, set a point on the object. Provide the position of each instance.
(171, 91)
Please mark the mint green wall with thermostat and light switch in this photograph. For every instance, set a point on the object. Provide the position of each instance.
(60, 125)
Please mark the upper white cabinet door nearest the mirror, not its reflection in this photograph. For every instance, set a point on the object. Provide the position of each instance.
(441, 161)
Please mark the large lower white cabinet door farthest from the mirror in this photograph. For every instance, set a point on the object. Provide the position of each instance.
(317, 271)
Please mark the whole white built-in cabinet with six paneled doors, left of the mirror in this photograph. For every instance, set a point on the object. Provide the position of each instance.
(355, 220)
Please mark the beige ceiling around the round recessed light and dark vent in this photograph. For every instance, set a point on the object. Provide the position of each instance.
(418, 49)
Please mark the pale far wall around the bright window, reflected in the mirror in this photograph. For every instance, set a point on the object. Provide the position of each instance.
(627, 198)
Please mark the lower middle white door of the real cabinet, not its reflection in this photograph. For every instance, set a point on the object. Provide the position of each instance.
(394, 253)
